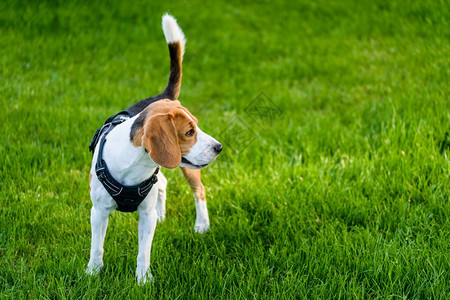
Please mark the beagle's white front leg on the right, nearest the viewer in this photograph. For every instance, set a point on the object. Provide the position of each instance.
(146, 227)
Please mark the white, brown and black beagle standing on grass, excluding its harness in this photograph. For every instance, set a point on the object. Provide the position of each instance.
(158, 132)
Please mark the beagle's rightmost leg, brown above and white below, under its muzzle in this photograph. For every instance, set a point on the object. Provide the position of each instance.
(194, 179)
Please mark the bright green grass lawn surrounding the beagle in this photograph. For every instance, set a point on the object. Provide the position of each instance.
(344, 194)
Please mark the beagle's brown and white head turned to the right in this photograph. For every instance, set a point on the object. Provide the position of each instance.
(171, 136)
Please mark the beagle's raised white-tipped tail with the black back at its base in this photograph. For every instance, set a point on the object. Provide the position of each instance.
(176, 43)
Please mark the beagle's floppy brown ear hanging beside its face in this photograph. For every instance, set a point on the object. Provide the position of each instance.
(160, 139)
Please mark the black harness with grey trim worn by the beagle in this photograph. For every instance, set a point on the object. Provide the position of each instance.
(127, 197)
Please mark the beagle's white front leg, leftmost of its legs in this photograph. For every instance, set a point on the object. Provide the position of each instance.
(99, 223)
